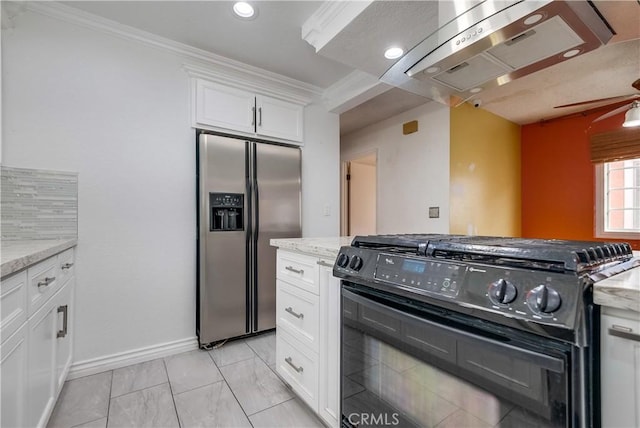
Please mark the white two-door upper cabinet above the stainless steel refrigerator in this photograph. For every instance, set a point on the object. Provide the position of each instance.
(231, 109)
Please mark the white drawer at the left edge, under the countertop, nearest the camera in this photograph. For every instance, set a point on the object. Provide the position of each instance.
(13, 304)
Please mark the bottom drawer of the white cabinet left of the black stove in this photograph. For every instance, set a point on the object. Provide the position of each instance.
(298, 366)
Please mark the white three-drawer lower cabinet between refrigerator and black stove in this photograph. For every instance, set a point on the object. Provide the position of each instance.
(308, 331)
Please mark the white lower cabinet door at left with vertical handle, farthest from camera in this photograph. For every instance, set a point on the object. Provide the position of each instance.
(64, 333)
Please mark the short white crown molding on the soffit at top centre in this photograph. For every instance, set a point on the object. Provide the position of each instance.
(329, 20)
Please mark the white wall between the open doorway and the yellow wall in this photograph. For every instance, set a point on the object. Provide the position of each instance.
(413, 170)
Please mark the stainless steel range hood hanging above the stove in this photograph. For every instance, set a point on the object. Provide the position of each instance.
(494, 42)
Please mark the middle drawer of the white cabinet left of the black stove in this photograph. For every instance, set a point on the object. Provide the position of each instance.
(298, 312)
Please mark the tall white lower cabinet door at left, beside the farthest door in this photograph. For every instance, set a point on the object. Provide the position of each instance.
(41, 363)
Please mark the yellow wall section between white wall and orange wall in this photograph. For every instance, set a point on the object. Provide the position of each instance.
(485, 192)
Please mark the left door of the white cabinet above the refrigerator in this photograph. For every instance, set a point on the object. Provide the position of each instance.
(223, 107)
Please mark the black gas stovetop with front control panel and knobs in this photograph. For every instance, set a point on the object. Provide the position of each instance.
(533, 283)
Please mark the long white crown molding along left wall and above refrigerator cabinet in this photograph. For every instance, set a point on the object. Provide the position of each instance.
(198, 62)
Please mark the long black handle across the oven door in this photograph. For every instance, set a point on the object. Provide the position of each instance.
(543, 361)
